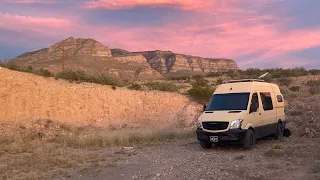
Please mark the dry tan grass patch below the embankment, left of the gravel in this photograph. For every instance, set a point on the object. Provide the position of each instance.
(42, 149)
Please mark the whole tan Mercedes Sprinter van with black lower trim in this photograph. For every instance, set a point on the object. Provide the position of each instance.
(243, 111)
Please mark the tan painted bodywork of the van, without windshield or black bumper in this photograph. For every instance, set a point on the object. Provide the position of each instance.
(264, 121)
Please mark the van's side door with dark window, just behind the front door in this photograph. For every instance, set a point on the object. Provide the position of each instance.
(268, 113)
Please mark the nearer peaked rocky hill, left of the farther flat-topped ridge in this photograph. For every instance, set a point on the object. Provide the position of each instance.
(90, 56)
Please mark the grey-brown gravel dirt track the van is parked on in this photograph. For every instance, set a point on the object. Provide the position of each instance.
(293, 158)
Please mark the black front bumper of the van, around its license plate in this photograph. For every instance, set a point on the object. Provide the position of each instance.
(230, 135)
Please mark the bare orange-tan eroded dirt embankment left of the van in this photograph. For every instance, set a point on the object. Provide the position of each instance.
(27, 97)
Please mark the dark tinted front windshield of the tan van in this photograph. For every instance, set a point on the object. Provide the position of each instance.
(232, 101)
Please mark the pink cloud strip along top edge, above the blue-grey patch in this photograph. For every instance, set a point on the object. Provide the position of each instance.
(125, 4)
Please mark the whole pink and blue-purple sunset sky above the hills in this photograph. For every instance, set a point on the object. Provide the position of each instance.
(255, 33)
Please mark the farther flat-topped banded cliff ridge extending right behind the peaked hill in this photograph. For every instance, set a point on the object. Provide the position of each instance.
(167, 61)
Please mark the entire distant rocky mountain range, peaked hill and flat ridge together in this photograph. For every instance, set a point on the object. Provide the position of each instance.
(93, 57)
